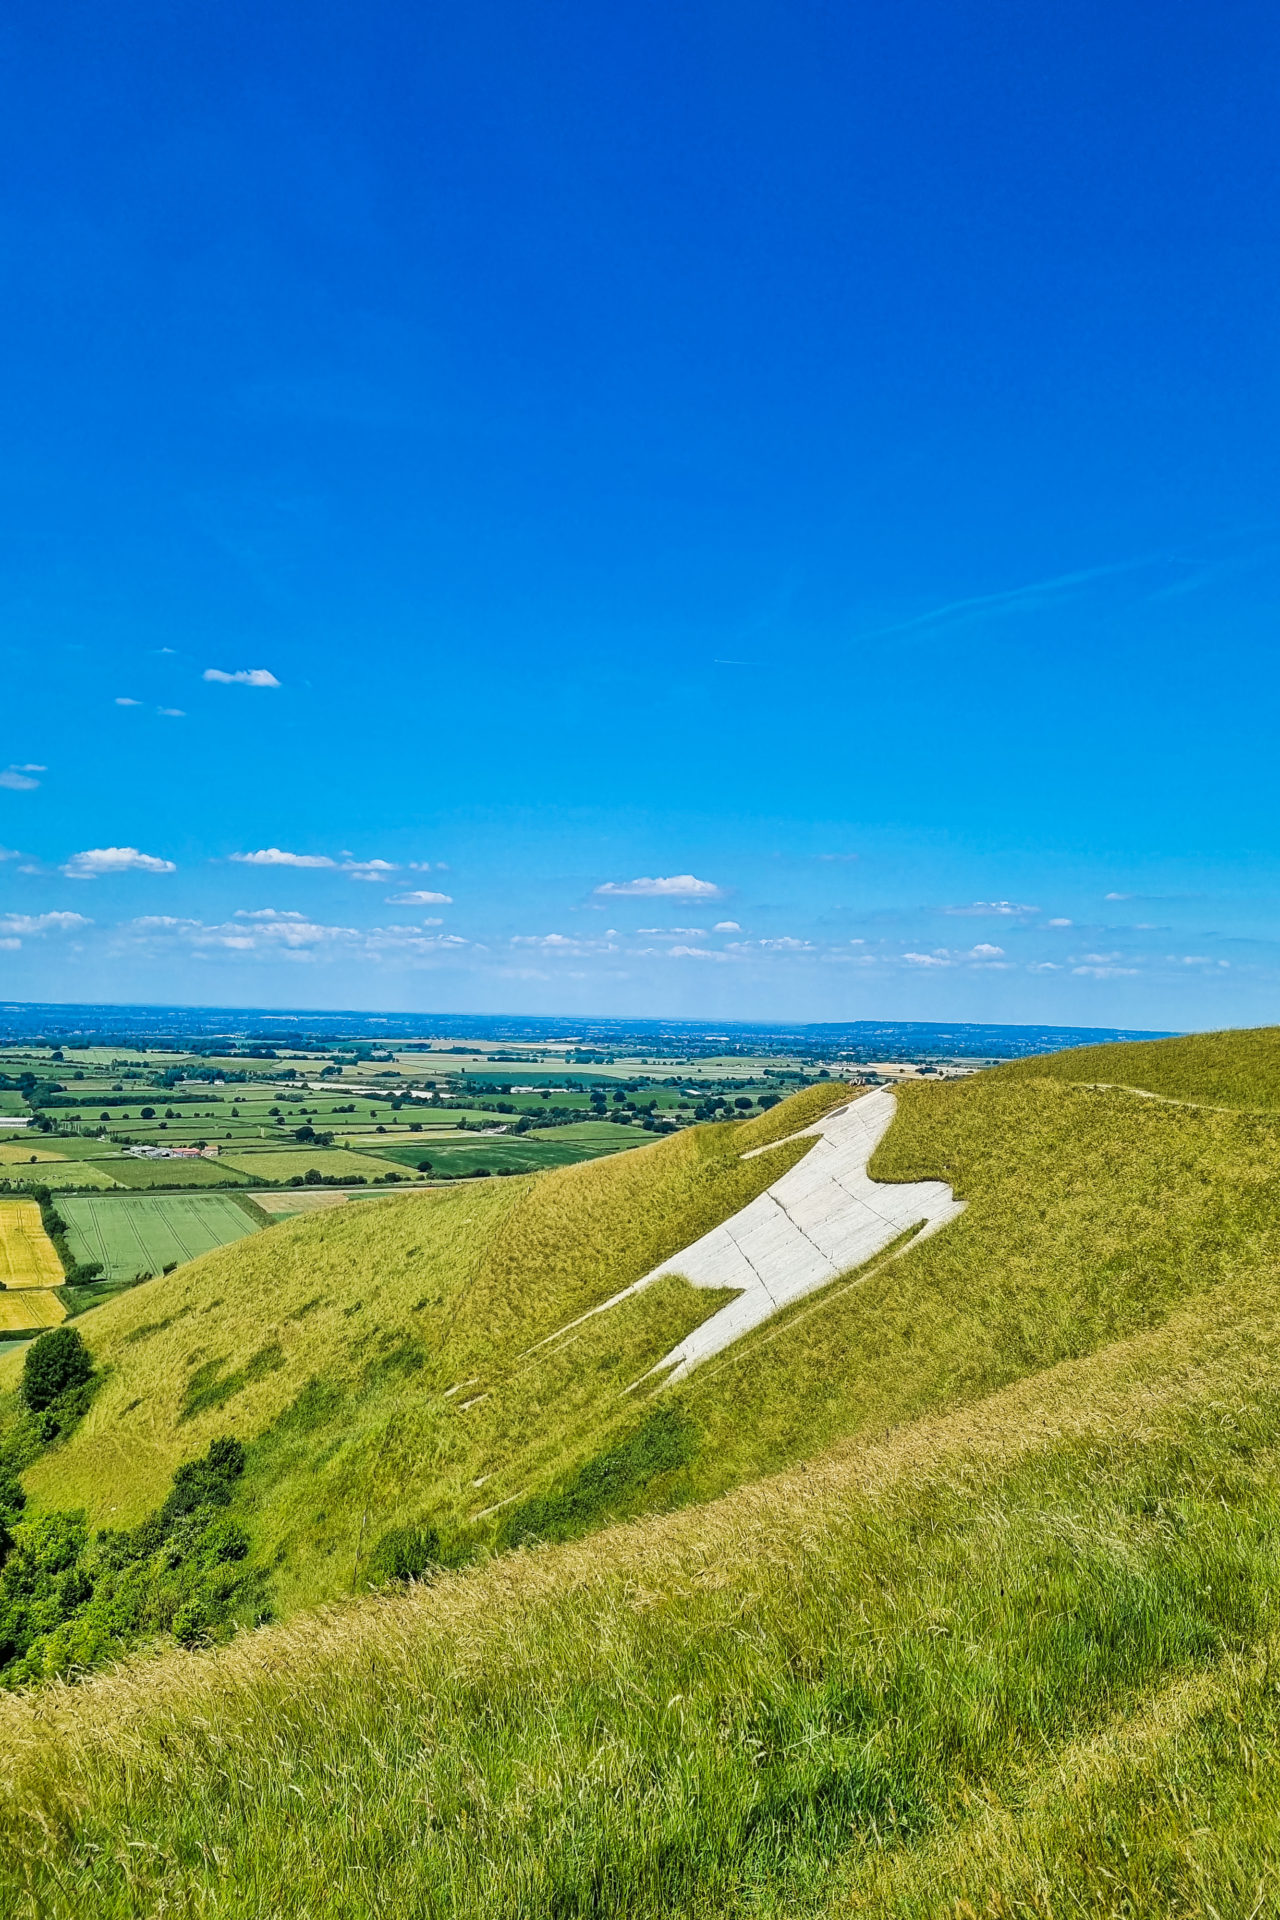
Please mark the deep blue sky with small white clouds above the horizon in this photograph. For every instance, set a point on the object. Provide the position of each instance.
(767, 512)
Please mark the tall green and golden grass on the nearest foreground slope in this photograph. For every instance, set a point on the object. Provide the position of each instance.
(880, 1685)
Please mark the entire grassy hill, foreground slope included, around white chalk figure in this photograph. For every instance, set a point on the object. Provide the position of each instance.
(962, 1600)
